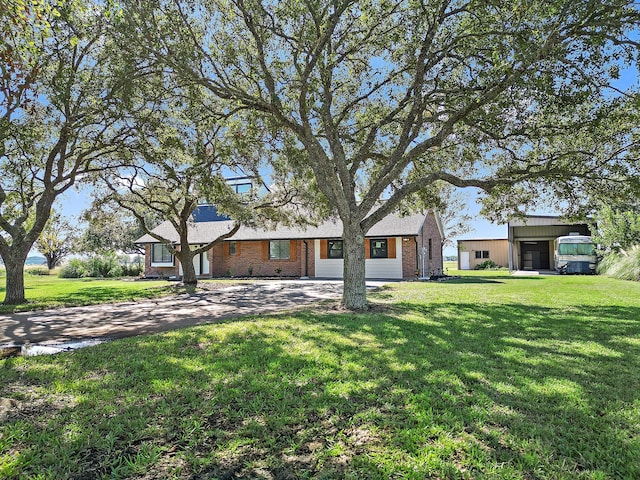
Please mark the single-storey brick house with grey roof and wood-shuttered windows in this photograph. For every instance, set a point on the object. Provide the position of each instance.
(395, 248)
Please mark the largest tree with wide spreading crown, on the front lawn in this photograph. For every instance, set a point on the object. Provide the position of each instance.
(391, 97)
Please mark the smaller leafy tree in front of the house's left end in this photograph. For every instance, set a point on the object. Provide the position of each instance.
(184, 150)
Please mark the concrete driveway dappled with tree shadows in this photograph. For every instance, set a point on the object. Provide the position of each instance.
(116, 320)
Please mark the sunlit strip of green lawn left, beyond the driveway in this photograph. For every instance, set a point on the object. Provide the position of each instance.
(47, 291)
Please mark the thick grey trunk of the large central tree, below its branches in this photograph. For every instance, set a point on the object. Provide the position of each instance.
(354, 295)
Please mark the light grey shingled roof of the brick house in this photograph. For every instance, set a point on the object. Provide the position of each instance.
(204, 232)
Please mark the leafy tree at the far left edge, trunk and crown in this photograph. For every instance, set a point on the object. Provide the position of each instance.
(58, 121)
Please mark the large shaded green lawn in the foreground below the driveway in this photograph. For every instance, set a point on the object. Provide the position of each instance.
(487, 376)
